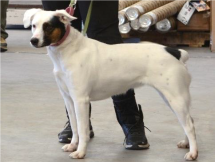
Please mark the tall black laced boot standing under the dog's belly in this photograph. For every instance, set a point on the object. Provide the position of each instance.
(131, 121)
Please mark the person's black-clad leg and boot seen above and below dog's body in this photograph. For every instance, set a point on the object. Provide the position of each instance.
(103, 27)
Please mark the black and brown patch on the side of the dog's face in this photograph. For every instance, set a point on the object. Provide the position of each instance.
(54, 30)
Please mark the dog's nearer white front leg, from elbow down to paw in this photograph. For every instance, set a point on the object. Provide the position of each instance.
(82, 115)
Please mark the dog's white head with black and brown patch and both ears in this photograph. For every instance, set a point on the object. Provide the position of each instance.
(47, 26)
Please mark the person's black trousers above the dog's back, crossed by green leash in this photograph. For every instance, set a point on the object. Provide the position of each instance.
(103, 25)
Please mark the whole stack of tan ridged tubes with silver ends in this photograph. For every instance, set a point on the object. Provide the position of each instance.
(140, 15)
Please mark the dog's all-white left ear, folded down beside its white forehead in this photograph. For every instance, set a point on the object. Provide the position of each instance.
(28, 16)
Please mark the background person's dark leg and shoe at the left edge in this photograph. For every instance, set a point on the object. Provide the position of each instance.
(3, 33)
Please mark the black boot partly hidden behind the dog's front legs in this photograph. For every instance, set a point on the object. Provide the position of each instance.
(65, 135)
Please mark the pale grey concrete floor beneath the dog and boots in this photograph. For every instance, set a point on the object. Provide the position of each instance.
(32, 112)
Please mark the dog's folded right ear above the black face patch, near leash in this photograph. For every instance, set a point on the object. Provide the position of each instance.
(64, 17)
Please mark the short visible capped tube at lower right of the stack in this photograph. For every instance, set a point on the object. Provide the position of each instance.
(166, 25)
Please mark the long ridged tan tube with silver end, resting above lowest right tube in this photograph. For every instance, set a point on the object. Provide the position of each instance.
(161, 13)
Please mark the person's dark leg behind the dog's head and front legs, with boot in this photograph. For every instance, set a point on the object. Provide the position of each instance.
(65, 135)
